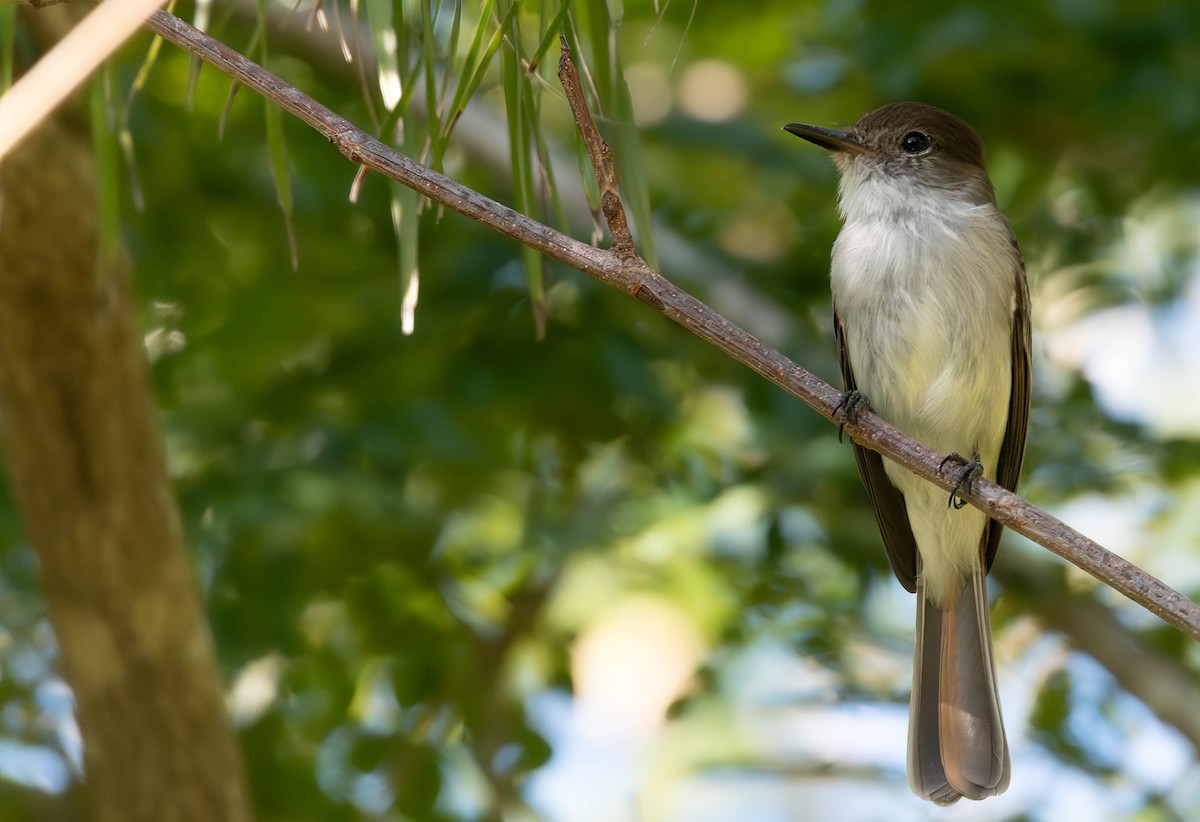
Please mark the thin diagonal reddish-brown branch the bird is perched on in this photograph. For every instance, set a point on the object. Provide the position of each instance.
(633, 275)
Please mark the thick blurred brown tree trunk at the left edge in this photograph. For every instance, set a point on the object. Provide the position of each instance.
(87, 467)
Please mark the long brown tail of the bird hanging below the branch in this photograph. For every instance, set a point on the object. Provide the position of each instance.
(957, 745)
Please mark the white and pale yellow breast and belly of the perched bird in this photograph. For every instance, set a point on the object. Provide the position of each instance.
(925, 286)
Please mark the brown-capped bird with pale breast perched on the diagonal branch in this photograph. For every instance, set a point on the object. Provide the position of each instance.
(932, 317)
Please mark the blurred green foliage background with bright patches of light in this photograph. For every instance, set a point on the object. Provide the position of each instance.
(509, 544)
